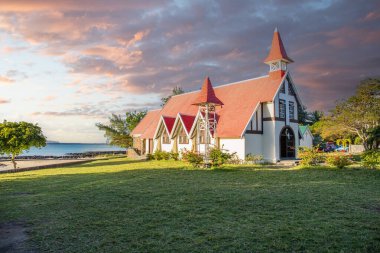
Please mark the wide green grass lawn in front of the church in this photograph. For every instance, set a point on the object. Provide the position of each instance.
(119, 205)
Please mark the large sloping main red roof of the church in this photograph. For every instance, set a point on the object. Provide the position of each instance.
(240, 100)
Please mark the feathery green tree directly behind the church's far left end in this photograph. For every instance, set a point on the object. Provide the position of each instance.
(119, 129)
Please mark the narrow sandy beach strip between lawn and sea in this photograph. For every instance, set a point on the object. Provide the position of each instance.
(22, 165)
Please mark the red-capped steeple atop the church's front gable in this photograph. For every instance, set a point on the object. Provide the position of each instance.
(277, 58)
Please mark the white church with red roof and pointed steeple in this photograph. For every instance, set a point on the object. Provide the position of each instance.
(257, 116)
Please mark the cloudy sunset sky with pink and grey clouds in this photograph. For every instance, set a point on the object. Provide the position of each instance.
(69, 64)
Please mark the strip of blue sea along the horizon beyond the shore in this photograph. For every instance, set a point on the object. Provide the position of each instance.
(59, 149)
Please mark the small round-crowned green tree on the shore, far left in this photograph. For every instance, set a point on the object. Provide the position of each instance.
(16, 137)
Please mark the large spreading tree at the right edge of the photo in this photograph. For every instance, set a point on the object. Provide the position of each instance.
(358, 115)
